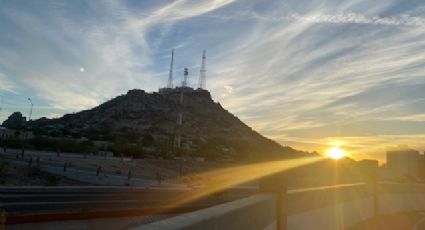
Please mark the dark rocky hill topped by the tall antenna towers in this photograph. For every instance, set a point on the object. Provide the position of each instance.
(206, 127)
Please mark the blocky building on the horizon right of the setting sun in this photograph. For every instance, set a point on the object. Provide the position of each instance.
(404, 161)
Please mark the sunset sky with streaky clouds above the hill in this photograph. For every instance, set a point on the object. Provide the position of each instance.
(309, 74)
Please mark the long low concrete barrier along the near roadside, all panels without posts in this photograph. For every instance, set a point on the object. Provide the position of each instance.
(331, 209)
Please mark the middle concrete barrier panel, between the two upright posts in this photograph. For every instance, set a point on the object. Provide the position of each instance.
(332, 208)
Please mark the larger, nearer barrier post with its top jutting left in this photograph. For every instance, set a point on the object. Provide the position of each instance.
(277, 184)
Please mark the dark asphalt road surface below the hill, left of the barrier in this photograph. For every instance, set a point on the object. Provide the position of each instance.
(35, 204)
